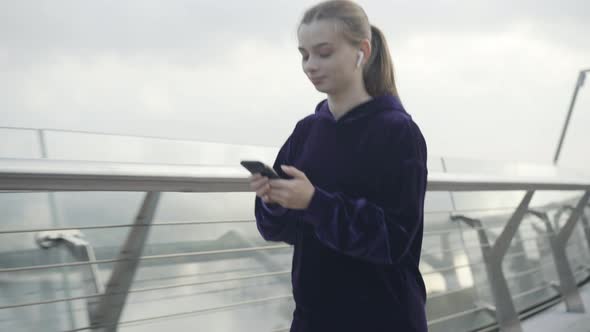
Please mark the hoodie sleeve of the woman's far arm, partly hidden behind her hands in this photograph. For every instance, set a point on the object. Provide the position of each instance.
(274, 222)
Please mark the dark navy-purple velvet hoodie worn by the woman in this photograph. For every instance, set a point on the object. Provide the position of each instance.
(357, 246)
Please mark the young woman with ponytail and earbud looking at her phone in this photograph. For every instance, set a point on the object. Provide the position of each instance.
(351, 200)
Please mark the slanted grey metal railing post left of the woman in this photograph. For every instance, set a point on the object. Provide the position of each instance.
(108, 310)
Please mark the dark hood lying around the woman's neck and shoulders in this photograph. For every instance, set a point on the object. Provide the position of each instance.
(372, 106)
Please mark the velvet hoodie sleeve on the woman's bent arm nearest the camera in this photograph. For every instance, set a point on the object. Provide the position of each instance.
(380, 231)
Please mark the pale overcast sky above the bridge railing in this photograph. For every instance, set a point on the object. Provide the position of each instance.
(483, 79)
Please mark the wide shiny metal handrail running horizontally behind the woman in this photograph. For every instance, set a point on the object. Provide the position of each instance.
(64, 175)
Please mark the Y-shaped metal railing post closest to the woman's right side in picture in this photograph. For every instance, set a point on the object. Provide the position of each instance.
(493, 256)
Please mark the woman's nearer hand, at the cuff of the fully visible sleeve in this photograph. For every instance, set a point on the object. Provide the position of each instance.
(292, 194)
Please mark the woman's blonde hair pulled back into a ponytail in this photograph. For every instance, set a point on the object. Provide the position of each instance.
(354, 23)
